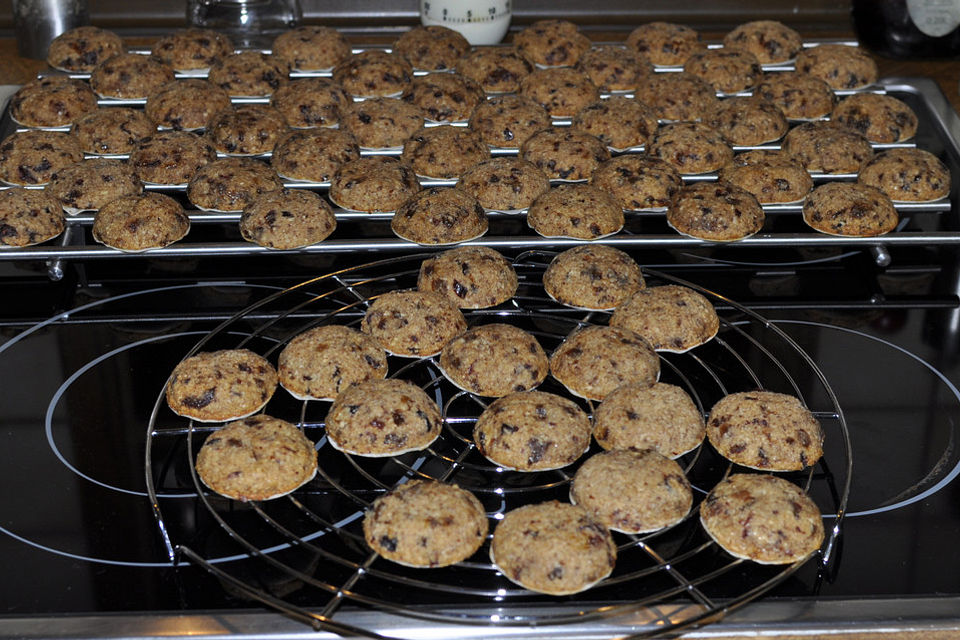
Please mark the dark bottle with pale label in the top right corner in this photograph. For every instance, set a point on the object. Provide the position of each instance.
(909, 28)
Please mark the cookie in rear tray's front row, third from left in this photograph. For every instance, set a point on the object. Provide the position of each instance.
(287, 219)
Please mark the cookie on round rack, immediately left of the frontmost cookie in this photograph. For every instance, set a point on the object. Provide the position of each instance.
(426, 524)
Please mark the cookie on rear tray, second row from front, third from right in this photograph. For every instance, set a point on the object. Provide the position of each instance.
(637, 181)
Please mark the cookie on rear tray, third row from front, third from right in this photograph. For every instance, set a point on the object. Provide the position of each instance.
(565, 154)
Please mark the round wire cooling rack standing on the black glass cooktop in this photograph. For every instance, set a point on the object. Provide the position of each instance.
(304, 554)
